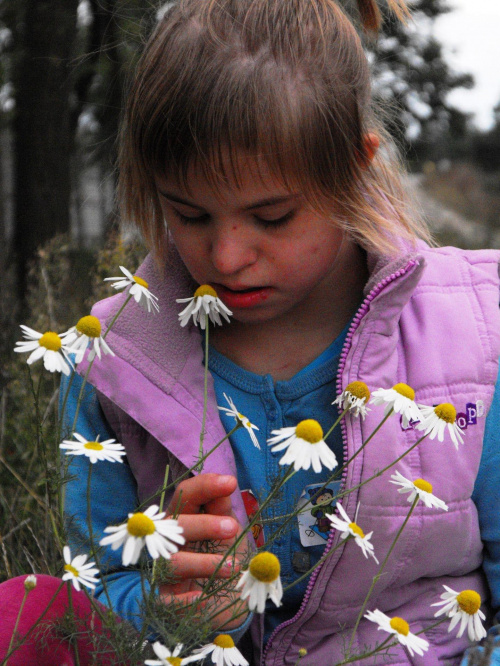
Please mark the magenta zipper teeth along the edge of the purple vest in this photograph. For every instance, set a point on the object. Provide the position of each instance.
(334, 535)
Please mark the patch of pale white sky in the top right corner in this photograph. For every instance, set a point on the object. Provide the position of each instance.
(470, 35)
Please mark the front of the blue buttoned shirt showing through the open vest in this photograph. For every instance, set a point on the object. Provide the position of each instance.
(270, 406)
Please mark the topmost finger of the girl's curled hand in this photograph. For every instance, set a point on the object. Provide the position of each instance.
(192, 494)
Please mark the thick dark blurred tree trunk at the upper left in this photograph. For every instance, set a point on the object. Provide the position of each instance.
(43, 136)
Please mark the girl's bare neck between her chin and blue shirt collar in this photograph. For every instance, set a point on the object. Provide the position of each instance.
(283, 346)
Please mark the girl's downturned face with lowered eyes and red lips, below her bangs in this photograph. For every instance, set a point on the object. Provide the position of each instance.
(262, 248)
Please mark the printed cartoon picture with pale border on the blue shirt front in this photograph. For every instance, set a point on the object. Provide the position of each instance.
(314, 524)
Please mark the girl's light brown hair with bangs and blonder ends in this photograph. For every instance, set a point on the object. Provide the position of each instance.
(285, 81)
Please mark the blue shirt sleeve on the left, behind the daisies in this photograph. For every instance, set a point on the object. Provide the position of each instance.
(111, 497)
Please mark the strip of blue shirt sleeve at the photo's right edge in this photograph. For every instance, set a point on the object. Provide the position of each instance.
(486, 497)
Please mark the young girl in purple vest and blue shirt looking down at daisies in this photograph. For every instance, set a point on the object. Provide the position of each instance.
(252, 161)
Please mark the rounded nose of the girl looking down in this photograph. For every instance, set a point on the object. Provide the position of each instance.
(232, 250)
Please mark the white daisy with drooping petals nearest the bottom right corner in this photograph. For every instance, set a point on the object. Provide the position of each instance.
(463, 607)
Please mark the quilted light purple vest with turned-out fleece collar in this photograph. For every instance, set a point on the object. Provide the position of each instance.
(429, 319)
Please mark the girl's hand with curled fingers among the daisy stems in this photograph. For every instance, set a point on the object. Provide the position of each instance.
(203, 505)
